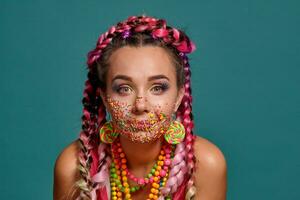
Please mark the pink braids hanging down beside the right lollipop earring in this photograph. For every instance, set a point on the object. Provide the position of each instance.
(175, 182)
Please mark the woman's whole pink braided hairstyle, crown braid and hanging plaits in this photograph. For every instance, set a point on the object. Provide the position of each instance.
(94, 156)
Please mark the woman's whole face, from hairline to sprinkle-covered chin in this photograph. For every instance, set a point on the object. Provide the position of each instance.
(141, 93)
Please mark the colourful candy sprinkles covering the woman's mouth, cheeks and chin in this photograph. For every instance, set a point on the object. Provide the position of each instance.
(138, 130)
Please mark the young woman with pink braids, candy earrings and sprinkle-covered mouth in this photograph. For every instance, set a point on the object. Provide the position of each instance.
(137, 139)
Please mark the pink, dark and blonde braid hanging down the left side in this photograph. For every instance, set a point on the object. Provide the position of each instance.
(88, 156)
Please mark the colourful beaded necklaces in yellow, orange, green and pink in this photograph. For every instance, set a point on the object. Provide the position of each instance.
(119, 173)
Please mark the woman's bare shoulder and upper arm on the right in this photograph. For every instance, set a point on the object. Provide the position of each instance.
(211, 170)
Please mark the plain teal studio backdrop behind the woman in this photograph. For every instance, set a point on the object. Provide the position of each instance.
(245, 82)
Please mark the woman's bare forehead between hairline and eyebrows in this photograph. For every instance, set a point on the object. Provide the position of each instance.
(141, 62)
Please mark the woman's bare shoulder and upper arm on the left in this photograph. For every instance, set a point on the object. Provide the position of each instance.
(66, 173)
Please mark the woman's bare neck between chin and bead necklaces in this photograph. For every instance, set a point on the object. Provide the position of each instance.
(141, 156)
